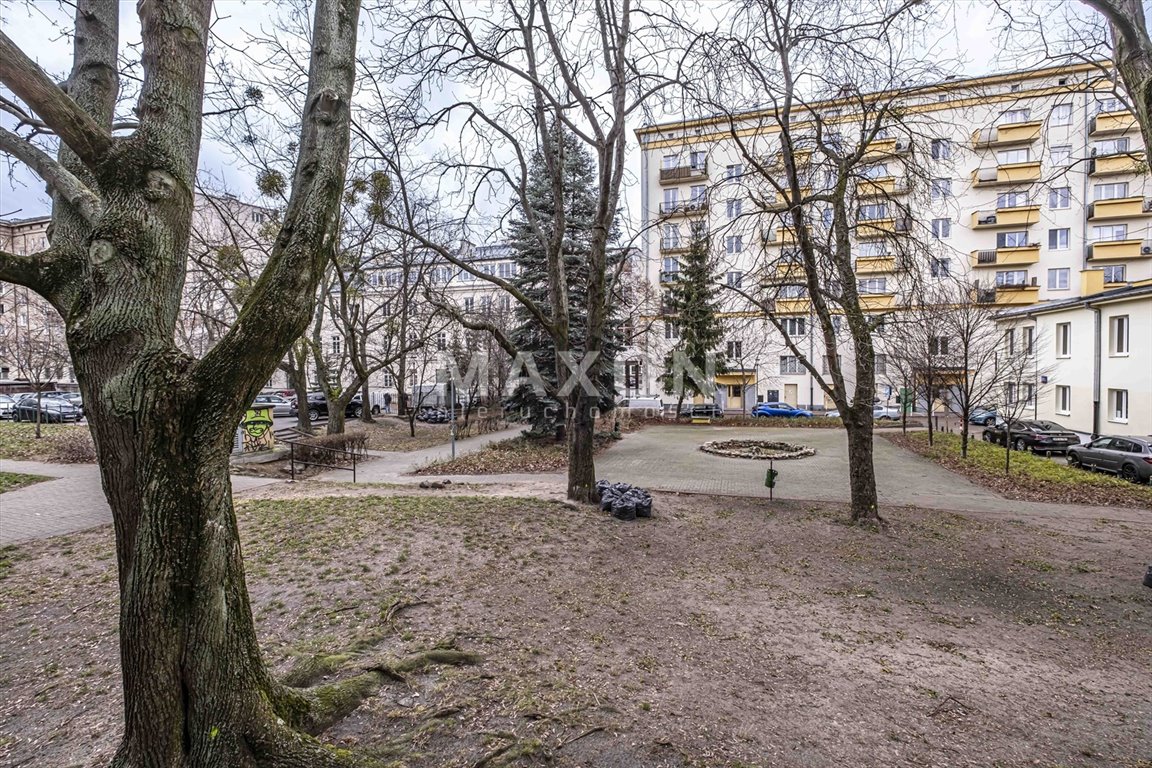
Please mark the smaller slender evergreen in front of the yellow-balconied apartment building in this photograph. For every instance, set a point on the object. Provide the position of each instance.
(692, 305)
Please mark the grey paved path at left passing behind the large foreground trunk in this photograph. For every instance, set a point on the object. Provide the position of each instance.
(74, 501)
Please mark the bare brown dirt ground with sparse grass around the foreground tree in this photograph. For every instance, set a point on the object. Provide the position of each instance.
(722, 633)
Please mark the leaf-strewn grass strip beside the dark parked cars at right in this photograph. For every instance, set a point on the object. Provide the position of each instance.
(1032, 478)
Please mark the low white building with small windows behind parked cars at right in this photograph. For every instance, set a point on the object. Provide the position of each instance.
(1096, 353)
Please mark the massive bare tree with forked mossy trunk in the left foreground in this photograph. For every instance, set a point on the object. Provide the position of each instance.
(196, 690)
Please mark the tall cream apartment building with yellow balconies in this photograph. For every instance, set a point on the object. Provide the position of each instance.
(1030, 188)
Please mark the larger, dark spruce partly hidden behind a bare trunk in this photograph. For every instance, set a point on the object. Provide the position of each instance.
(544, 415)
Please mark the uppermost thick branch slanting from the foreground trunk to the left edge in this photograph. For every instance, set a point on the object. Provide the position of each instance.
(75, 127)
